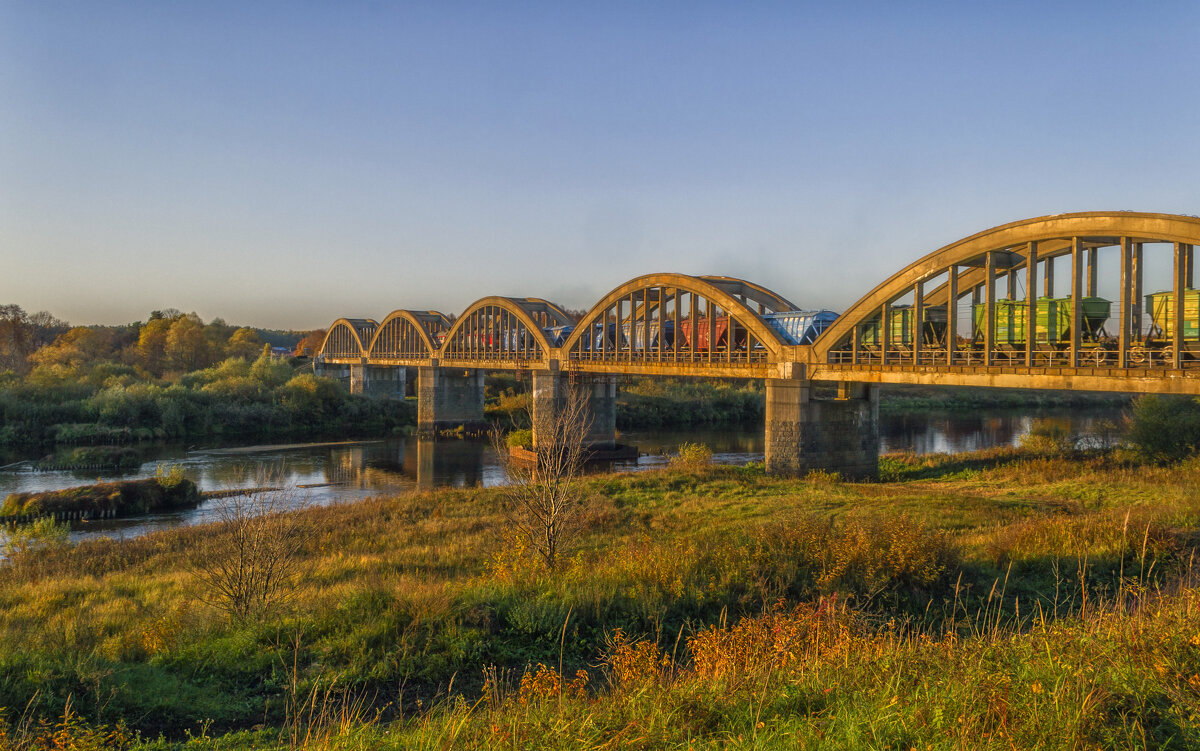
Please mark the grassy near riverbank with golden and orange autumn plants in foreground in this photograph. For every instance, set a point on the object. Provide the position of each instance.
(699, 604)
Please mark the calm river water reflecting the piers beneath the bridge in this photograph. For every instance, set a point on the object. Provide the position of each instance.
(331, 473)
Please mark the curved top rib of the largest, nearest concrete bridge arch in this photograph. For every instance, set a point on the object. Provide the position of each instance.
(1054, 236)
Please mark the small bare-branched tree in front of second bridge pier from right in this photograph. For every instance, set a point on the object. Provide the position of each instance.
(545, 503)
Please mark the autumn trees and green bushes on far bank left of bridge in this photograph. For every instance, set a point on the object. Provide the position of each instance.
(173, 377)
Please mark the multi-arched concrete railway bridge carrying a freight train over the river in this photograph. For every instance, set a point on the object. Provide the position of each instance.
(1016, 307)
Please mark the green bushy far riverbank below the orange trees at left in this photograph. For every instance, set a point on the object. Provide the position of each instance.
(237, 401)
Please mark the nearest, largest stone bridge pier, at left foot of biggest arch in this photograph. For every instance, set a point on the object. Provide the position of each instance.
(807, 434)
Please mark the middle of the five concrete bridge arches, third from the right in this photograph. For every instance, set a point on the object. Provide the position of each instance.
(529, 315)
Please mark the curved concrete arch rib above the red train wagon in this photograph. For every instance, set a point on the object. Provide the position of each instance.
(719, 291)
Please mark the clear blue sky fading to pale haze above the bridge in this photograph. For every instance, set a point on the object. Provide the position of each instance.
(287, 164)
